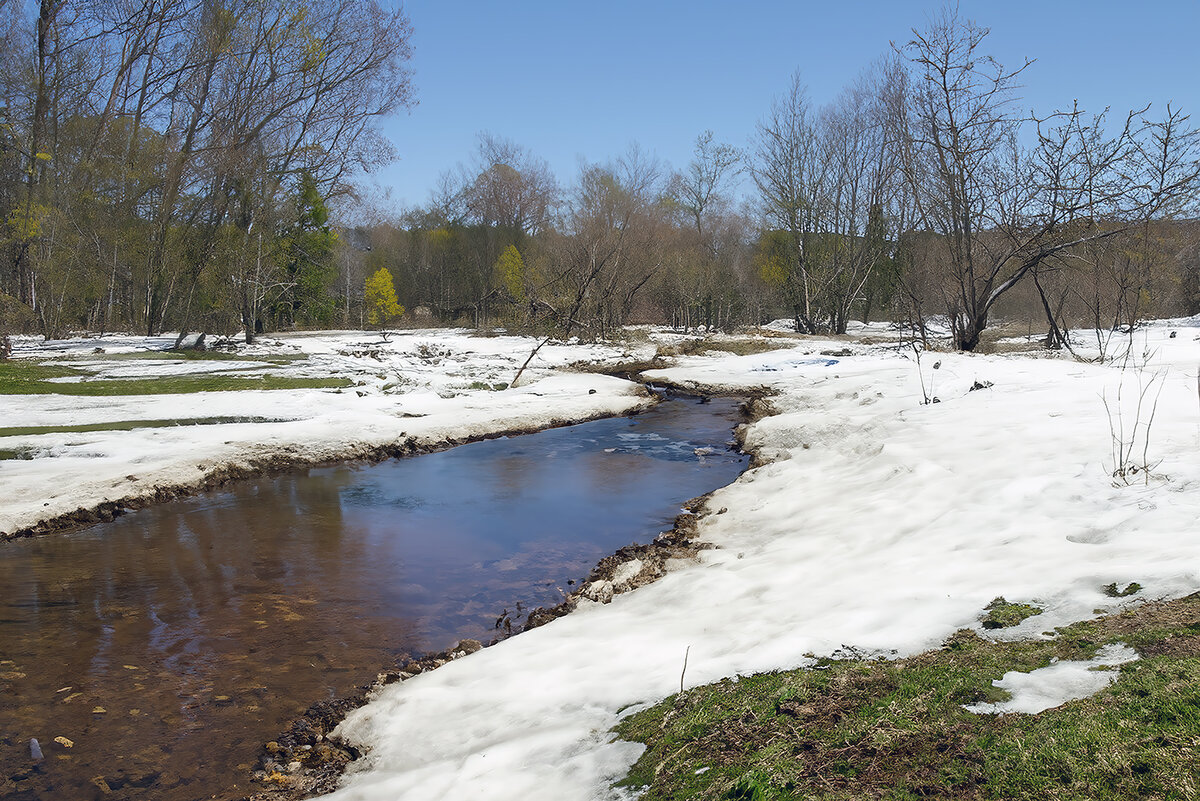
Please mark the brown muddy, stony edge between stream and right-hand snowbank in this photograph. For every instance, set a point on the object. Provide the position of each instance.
(307, 762)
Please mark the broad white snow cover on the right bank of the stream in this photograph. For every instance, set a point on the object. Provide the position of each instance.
(880, 525)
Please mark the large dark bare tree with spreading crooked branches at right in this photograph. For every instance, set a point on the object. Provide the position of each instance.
(1001, 210)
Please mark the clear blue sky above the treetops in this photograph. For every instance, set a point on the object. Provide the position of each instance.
(581, 81)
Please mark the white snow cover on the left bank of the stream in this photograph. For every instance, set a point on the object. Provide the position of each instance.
(423, 388)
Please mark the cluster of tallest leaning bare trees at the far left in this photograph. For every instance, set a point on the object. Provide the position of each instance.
(147, 140)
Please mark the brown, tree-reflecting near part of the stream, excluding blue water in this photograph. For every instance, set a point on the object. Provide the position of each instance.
(213, 605)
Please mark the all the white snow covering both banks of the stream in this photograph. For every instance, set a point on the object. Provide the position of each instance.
(878, 523)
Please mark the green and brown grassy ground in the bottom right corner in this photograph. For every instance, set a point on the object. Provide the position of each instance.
(879, 730)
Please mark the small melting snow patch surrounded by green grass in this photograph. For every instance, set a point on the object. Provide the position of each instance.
(1058, 684)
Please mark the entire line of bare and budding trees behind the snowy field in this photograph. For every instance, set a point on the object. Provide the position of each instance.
(171, 166)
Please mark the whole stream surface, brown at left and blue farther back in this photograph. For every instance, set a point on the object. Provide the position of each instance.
(153, 657)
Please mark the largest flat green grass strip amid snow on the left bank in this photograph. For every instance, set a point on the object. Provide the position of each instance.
(31, 378)
